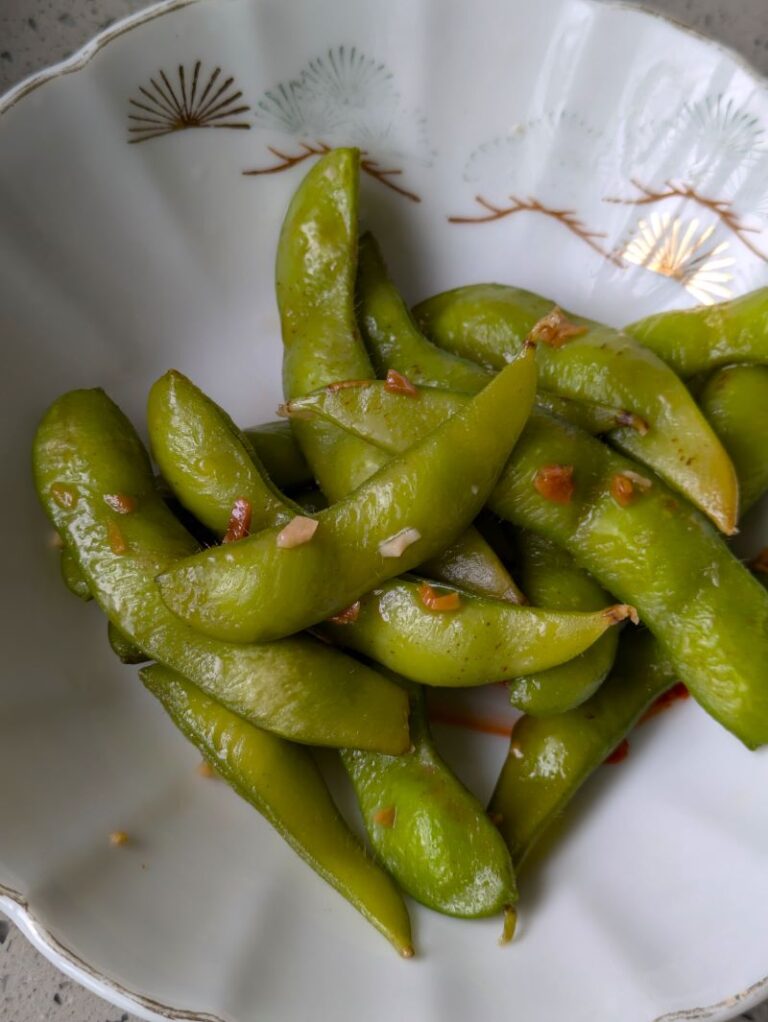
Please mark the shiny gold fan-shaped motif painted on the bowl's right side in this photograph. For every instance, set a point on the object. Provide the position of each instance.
(684, 252)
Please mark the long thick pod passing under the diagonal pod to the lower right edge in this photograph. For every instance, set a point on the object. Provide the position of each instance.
(658, 554)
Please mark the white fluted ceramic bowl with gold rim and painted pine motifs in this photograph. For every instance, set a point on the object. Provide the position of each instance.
(596, 154)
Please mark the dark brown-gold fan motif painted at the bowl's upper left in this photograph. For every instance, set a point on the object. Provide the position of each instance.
(193, 101)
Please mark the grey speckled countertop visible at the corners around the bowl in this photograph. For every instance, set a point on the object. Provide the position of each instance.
(37, 33)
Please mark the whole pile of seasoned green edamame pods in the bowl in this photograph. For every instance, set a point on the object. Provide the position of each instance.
(420, 449)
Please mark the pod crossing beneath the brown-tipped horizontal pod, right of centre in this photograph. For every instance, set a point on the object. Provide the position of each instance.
(552, 579)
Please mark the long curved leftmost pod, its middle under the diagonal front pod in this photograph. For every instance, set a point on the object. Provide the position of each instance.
(95, 481)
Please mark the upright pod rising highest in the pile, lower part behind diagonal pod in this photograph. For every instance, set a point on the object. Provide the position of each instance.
(317, 267)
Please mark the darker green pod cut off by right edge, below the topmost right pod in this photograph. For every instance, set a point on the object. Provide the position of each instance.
(736, 403)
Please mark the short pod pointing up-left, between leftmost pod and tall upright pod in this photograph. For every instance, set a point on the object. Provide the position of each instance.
(206, 460)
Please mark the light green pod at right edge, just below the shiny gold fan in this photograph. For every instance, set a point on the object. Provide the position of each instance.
(706, 338)
